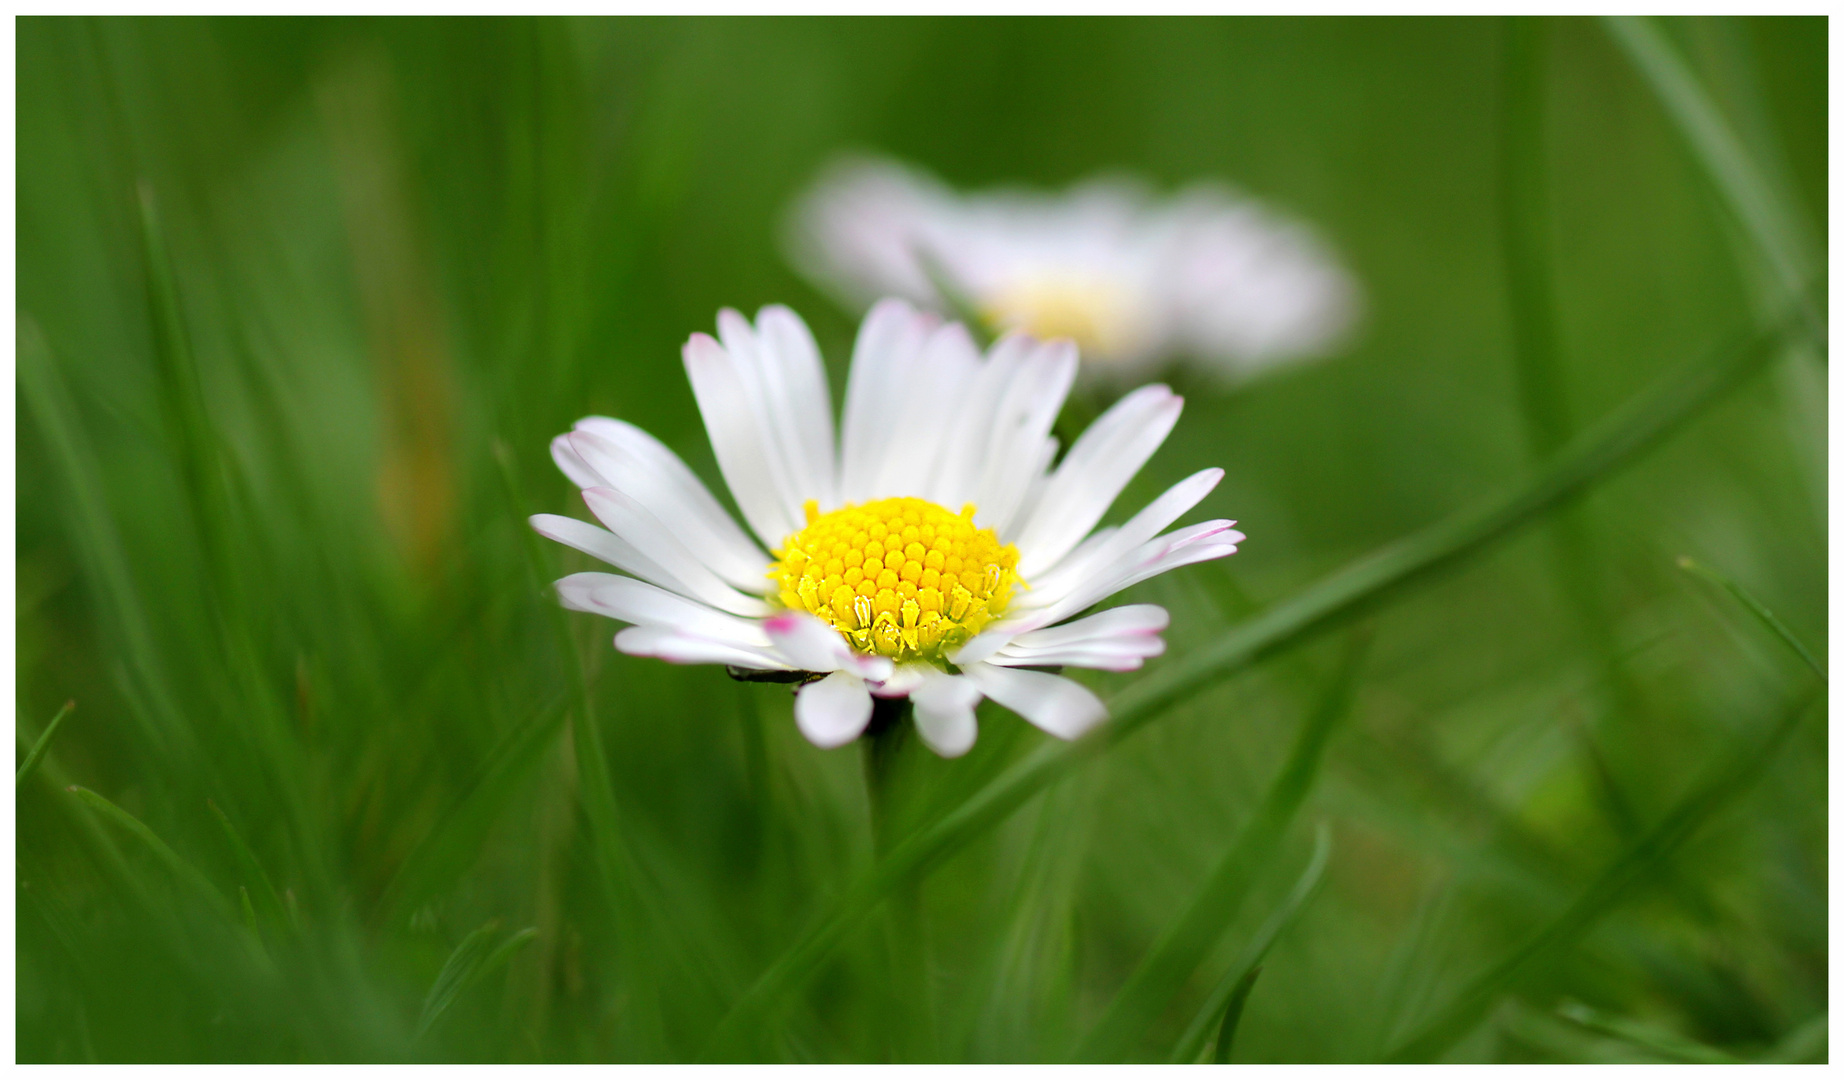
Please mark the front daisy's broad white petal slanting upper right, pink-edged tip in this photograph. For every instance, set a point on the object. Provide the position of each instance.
(1094, 473)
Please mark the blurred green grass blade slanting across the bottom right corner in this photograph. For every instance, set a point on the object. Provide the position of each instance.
(1729, 779)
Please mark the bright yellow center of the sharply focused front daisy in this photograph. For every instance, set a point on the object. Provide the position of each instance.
(897, 578)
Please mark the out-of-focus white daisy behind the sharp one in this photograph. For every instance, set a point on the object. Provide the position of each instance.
(1135, 281)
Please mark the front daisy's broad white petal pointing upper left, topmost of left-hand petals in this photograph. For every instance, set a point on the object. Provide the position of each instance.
(680, 502)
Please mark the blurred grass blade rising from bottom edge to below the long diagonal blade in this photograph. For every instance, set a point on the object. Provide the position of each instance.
(1188, 941)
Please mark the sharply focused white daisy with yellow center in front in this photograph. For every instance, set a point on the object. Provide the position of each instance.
(930, 554)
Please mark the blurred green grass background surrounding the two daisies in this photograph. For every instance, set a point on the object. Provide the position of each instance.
(303, 301)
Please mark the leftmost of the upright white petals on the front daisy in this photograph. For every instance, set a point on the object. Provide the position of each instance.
(742, 449)
